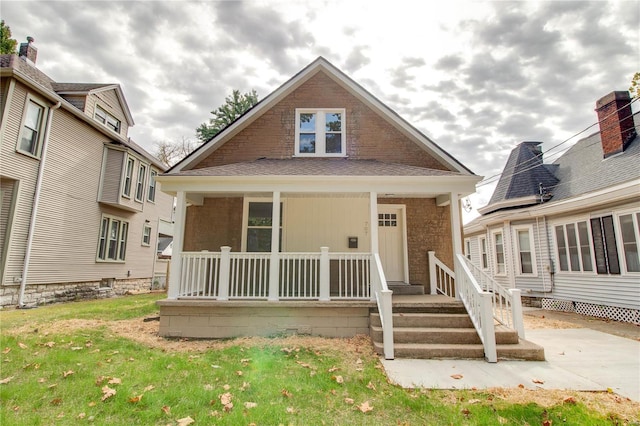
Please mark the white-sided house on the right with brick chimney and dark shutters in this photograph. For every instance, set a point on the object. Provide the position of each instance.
(567, 233)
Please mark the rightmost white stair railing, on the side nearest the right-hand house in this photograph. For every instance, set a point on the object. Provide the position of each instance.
(506, 302)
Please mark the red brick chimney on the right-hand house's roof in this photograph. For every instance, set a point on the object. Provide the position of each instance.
(616, 122)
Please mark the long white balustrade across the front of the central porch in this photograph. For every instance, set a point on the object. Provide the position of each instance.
(315, 276)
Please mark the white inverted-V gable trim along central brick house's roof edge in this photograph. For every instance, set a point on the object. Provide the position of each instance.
(319, 65)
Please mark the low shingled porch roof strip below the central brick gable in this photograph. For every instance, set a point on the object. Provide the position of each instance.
(315, 167)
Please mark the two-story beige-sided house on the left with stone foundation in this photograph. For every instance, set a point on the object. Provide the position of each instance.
(81, 209)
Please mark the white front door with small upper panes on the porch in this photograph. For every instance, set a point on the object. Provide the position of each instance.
(391, 241)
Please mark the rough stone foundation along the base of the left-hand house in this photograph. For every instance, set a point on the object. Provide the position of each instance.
(42, 294)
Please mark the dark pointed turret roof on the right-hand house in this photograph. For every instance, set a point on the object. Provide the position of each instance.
(523, 174)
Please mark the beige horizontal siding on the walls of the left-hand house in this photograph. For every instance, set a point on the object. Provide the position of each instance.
(69, 217)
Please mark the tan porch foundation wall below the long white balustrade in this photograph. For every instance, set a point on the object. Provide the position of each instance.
(202, 319)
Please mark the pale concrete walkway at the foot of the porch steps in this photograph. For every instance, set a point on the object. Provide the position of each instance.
(576, 358)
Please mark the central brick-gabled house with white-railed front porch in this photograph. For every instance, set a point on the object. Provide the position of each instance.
(350, 182)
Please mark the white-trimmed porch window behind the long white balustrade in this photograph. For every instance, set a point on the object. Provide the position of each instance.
(258, 226)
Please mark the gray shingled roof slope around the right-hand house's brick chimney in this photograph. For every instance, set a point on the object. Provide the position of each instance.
(583, 169)
